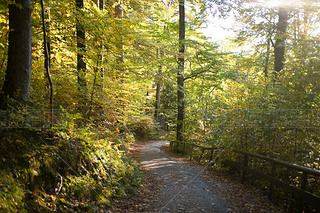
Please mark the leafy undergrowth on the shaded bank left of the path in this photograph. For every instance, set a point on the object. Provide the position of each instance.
(75, 170)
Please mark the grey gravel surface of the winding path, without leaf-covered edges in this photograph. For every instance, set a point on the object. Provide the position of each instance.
(184, 187)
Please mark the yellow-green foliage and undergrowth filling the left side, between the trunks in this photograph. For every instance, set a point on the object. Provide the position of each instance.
(82, 163)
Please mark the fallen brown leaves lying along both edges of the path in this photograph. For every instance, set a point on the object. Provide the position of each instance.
(240, 198)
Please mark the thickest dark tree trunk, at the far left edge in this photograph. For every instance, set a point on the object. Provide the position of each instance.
(18, 74)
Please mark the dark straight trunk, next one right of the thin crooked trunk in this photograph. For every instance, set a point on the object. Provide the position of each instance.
(81, 65)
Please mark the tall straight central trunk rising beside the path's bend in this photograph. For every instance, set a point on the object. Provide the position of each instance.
(180, 76)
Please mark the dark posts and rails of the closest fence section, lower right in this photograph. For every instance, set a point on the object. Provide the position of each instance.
(304, 197)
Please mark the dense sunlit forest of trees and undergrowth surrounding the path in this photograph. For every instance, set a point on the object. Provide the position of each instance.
(115, 71)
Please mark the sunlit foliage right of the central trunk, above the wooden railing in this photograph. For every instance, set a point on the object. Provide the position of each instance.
(241, 105)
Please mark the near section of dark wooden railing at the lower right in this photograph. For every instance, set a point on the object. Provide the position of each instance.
(303, 194)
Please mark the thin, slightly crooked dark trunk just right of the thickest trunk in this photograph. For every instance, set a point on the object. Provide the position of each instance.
(47, 60)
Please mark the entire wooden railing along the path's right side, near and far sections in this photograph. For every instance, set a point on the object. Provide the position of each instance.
(306, 198)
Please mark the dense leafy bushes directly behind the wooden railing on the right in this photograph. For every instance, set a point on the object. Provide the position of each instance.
(256, 114)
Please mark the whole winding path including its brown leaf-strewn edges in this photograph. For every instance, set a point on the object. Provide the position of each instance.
(174, 184)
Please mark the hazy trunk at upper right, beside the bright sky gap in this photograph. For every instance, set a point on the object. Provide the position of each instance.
(279, 47)
